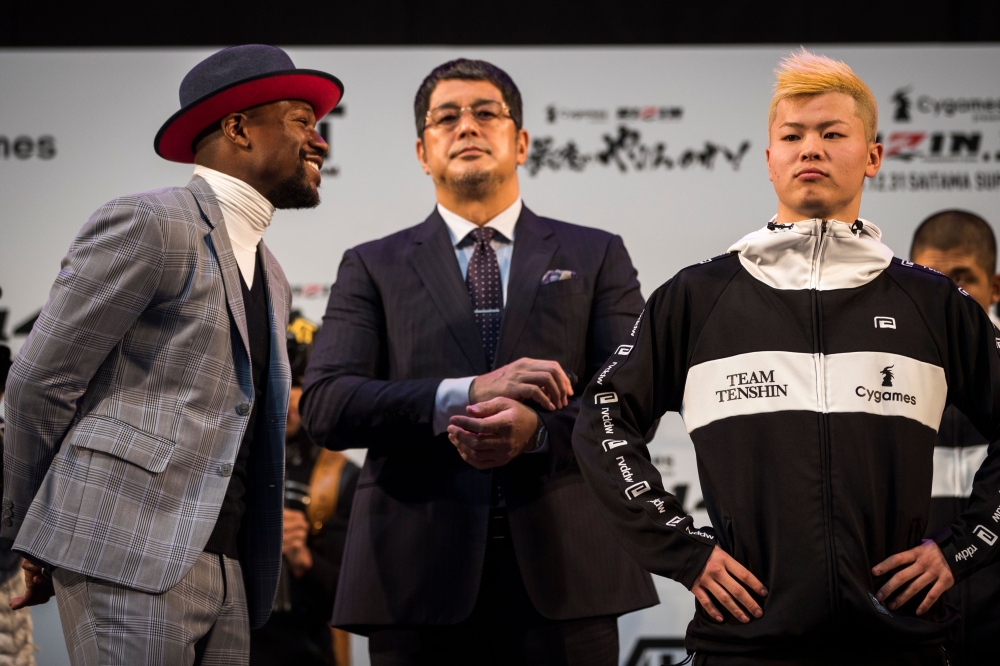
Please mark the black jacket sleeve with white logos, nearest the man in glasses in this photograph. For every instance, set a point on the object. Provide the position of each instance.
(639, 383)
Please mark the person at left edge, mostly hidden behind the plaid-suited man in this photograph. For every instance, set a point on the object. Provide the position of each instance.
(16, 645)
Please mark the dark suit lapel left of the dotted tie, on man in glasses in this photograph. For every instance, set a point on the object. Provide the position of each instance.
(433, 258)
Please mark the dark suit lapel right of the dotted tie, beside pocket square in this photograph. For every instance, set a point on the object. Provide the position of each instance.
(534, 247)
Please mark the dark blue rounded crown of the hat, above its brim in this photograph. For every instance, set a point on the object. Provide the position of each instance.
(229, 66)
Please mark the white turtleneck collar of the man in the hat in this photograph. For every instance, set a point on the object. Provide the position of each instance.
(247, 215)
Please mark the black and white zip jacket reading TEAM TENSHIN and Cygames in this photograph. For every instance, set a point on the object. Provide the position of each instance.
(811, 369)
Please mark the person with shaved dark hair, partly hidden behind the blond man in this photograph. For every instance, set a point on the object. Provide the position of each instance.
(962, 246)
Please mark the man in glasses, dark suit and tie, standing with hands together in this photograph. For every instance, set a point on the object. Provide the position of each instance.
(474, 539)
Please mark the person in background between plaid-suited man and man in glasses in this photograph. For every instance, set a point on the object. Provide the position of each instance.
(319, 491)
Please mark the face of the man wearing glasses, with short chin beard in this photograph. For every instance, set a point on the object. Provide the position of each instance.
(471, 160)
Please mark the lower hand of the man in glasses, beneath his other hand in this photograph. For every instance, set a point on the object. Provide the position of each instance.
(497, 431)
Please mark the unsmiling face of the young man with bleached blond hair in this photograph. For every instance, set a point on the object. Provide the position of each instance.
(819, 157)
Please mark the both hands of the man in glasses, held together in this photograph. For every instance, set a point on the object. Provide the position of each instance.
(499, 427)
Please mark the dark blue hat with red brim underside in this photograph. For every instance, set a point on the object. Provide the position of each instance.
(235, 79)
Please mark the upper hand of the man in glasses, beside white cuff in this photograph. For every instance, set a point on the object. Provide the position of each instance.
(545, 382)
